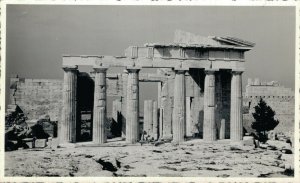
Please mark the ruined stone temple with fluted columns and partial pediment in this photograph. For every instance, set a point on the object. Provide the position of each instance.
(199, 90)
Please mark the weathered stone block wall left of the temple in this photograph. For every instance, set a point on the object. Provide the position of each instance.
(37, 97)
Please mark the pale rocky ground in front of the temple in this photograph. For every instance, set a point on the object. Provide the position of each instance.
(193, 158)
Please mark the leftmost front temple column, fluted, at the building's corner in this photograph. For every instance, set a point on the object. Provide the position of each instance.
(69, 113)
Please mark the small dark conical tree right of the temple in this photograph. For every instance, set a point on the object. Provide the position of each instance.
(264, 120)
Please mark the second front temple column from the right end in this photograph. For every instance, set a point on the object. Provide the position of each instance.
(209, 125)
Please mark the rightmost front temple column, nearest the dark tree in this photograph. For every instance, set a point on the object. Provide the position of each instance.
(236, 123)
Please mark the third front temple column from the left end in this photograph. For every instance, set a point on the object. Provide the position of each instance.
(132, 105)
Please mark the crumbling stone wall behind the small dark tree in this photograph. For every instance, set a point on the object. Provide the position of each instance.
(279, 98)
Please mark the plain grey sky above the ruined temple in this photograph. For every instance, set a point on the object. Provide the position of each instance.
(38, 35)
